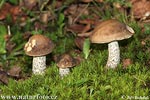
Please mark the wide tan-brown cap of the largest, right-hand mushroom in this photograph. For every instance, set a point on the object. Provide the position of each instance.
(110, 30)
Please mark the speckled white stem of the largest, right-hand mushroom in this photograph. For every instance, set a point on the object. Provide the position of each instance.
(114, 55)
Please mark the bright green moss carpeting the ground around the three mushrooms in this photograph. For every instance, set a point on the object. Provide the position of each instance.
(89, 80)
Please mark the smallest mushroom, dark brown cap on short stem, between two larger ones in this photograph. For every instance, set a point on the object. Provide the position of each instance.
(65, 62)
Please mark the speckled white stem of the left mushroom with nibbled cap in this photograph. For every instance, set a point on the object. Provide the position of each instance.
(39, 64)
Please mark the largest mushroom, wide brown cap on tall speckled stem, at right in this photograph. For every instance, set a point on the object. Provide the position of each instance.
(110, 31)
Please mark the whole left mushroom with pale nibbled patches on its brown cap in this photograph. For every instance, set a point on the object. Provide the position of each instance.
(38, 46)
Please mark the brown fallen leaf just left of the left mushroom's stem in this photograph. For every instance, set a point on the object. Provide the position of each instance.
(14, 71)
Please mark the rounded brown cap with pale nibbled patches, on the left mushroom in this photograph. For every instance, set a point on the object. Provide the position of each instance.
(38, 45)
